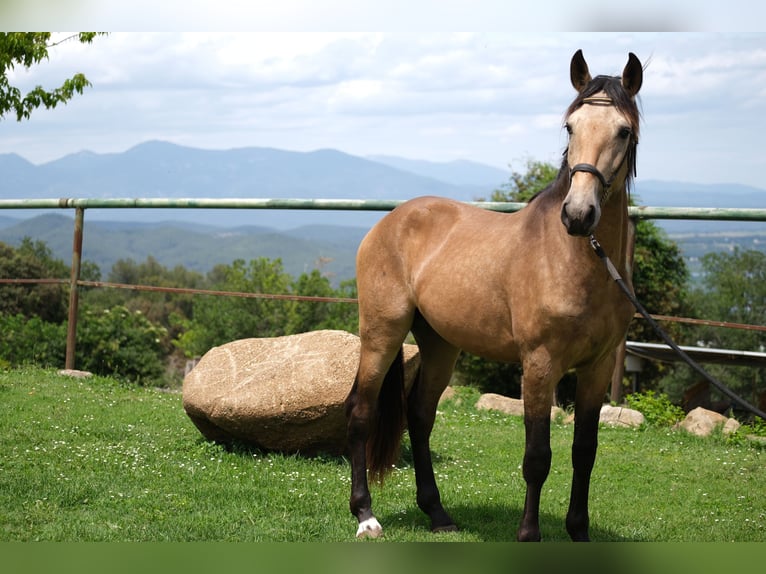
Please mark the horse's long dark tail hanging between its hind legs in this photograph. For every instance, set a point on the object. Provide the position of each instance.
(385, 439)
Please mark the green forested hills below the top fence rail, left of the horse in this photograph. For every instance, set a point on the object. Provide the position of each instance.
(197, 247)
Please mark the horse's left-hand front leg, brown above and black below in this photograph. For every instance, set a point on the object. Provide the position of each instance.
(538, 383)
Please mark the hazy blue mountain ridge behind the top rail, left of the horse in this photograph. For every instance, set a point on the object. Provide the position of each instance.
(161, 169)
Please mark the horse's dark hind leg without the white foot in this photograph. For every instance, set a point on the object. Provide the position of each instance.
(437, 361)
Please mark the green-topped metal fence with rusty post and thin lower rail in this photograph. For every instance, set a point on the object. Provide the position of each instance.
(79, 205)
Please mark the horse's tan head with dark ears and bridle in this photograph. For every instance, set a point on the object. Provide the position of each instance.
(602, 123)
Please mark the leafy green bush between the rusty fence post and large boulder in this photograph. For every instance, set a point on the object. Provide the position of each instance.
(120, 343)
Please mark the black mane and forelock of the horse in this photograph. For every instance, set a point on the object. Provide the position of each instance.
(612, 87)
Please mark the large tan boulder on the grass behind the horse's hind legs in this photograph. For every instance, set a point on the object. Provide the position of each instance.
(282, 393)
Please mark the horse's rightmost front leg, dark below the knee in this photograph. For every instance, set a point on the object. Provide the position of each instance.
(592, 383)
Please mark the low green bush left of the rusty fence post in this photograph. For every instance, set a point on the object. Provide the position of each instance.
(31, 340)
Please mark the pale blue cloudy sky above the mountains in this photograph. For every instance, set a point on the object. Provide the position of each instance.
(492, 97)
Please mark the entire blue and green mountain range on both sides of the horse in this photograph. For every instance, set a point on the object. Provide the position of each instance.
(198, 238)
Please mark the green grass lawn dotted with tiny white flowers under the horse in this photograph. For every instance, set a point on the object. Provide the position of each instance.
(94, 460)
